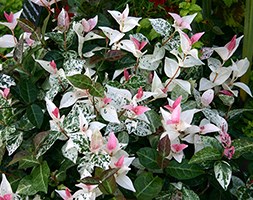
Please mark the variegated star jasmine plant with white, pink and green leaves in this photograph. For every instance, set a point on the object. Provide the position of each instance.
(95, 107)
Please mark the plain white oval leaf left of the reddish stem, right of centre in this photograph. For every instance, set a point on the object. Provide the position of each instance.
(171, 68)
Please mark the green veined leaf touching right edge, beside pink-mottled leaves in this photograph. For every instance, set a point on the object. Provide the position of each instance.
(242, 146)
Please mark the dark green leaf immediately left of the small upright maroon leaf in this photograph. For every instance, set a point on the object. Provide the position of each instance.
(148, 157)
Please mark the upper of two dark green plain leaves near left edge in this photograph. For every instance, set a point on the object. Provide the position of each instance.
(28, 91)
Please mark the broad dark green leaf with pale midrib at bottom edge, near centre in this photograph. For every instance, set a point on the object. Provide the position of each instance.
(147, 187)
